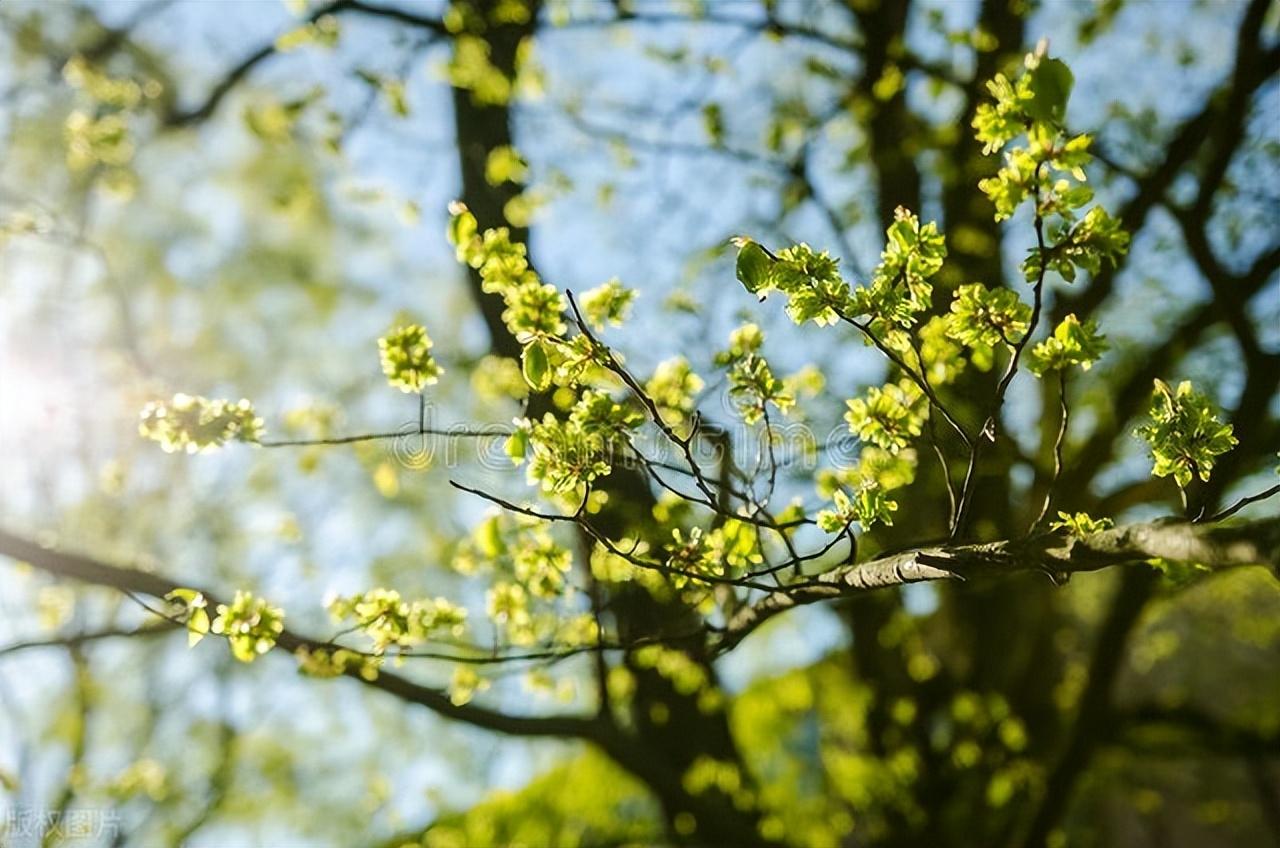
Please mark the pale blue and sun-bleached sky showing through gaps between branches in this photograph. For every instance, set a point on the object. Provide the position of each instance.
(77, 418)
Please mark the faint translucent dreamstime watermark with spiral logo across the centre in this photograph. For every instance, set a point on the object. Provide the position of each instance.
(796, 448)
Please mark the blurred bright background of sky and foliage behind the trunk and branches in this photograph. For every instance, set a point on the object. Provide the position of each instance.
(260, 250)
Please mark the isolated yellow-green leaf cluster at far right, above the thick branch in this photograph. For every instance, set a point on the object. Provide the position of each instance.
(1185, 434)
